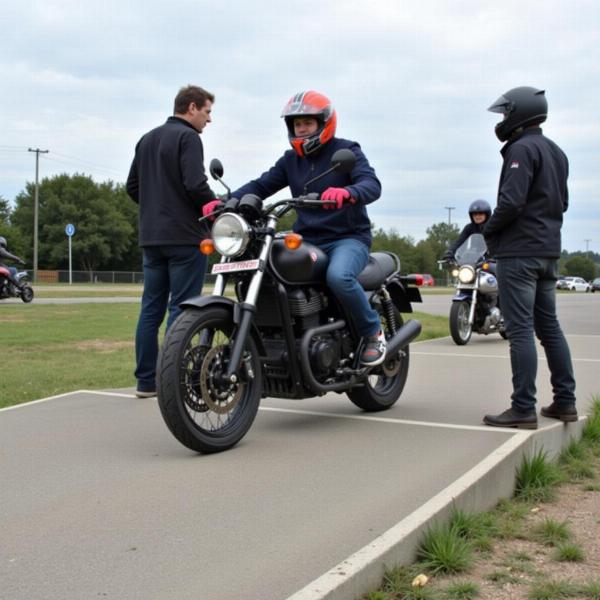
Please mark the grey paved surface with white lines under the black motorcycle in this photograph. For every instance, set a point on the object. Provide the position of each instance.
(98, 500)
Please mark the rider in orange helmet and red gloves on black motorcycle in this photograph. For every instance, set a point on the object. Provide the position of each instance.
(343, 232)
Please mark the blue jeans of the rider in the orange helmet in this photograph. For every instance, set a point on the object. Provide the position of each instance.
(347, 258)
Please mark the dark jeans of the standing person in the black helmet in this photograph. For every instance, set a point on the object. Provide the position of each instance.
(527, 289)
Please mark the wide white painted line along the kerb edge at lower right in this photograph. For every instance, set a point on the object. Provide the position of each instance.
(352, 566)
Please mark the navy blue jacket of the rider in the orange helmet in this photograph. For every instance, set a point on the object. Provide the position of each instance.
(319, 226)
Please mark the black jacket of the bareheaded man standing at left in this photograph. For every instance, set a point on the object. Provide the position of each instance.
(168, 181)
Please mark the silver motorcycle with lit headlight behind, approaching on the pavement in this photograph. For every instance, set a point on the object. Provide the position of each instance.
(475, 303)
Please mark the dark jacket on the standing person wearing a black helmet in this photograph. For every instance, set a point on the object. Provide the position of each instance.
(532, 197)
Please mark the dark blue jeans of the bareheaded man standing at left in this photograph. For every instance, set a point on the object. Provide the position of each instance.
(171, 275)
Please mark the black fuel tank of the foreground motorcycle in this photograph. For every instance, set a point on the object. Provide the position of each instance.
(307, 264)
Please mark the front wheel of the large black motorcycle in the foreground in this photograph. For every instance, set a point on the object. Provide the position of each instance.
(203, 413)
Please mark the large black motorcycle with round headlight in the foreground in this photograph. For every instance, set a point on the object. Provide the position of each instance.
(284, 335)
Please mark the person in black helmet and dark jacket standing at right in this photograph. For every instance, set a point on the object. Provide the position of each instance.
(523, 234)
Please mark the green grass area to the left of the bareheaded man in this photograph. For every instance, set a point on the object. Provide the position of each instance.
(53, 349)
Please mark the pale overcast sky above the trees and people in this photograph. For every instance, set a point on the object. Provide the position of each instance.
(410, 81)
